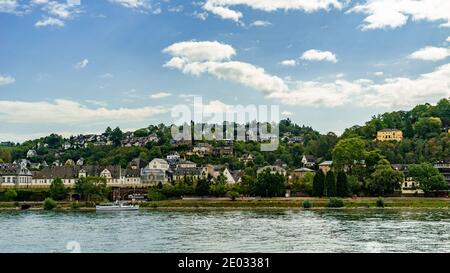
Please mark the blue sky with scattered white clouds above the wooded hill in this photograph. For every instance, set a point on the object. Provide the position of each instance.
(78, 66)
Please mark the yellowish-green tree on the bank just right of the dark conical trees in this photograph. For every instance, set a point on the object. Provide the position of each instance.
(384, 180)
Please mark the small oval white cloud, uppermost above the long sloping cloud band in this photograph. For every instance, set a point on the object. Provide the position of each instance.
(193, 51)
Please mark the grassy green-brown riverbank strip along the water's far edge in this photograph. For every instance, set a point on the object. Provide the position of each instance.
(248, 203)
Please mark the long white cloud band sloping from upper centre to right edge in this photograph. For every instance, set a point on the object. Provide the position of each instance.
(391, 92)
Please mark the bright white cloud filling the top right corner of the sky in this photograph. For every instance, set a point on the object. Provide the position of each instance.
(396, 13)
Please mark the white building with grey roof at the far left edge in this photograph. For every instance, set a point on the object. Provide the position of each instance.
(14, 175)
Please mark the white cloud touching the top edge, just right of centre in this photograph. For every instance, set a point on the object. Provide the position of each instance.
(222, 8)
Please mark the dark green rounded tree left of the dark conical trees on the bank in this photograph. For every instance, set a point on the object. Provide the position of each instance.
(269, 185)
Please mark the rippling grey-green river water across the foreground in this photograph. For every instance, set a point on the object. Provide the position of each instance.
(358, 230)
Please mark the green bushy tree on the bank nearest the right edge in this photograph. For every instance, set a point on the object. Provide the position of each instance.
(428, 177)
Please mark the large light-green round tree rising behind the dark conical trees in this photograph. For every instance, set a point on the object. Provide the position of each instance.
(349, 152)
